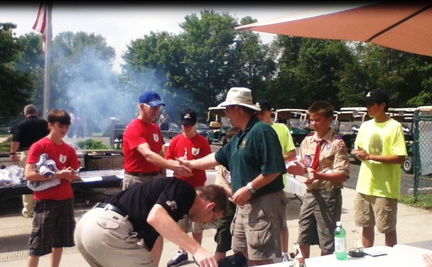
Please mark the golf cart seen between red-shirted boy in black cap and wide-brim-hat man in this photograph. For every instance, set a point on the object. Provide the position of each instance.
(219, 125)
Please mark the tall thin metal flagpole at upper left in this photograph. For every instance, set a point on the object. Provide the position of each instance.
(47, 79)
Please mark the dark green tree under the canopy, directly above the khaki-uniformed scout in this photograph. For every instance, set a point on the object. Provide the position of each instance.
(310, 70)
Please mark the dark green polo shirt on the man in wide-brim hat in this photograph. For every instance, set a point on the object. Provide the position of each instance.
(252, 152)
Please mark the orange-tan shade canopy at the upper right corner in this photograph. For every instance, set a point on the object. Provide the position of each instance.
(406, 27)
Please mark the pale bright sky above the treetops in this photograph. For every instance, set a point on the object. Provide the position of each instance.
(121, 24)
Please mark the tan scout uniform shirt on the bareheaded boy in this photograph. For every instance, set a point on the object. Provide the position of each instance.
(333, 158)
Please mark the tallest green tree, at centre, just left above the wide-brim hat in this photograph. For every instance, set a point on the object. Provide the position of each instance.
(209, 44)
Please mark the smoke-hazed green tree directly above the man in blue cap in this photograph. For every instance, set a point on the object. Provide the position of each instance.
(155, 62)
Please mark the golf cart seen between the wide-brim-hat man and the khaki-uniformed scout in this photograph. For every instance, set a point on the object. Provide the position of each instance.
(297, 121)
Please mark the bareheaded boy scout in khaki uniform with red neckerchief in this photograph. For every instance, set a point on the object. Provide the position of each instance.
(324, 160)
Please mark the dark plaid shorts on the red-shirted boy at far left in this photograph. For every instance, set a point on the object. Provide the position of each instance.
(53, 226)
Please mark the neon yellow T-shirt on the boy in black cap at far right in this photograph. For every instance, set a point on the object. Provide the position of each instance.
(377, 178)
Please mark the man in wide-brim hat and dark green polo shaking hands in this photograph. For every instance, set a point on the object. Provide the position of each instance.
(254, 157)
